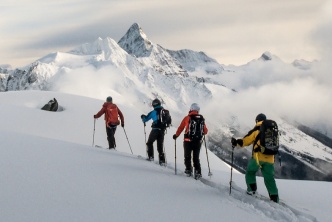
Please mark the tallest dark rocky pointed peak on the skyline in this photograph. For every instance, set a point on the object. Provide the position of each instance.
(135, 42)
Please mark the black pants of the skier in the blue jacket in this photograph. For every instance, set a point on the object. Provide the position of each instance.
(156, 134)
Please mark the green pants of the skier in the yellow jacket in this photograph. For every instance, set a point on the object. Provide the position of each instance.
(268, 174)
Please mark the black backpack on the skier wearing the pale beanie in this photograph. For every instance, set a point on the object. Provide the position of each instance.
(196, 128)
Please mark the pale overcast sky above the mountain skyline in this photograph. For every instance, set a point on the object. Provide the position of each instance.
(233, 32)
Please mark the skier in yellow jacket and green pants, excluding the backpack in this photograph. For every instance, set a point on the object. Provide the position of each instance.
(258, 161)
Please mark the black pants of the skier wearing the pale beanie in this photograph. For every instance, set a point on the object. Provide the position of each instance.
(193, 147)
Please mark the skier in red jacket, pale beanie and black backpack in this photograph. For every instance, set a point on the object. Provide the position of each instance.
(192, 139)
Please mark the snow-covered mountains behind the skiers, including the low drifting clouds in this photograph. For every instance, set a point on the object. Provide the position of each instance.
(136, 70)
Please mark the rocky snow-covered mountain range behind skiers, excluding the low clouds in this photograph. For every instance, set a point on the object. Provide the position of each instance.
(177, 77)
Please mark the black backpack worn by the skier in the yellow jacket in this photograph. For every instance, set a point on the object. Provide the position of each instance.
(268, 137)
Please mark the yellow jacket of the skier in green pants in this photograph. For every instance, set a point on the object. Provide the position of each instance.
(250, 139)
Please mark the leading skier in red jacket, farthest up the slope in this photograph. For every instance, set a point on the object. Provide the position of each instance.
(112, 114)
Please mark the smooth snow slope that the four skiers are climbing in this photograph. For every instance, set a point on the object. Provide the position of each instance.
(51, 172)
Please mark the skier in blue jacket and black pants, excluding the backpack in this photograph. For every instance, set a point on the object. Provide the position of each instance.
(157, 132)
